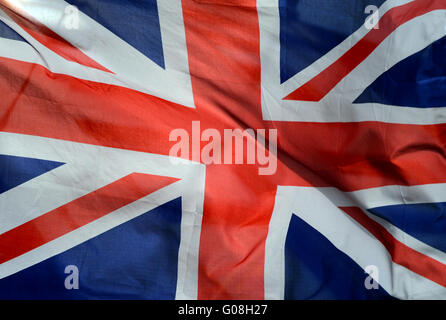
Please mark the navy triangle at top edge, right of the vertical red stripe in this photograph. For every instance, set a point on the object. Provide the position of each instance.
(311, 28)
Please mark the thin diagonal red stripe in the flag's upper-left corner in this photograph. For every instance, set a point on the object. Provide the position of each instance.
(50, 39)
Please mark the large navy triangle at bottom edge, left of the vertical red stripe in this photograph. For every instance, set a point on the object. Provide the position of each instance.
(136, 260)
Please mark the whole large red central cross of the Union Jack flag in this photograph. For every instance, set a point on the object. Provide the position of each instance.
(223, 48)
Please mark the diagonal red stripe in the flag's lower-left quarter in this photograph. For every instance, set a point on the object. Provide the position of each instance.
(78, 213)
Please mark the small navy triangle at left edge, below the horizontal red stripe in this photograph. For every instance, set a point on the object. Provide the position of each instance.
(17, 170)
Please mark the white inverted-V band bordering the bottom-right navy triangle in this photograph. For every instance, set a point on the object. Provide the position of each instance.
(344, 233)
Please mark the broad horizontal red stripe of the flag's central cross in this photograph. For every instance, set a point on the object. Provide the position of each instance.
(349, 156)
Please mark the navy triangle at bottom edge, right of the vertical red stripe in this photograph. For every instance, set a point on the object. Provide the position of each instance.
(316, 269)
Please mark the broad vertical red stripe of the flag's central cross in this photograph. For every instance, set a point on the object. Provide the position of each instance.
(223, 48)
